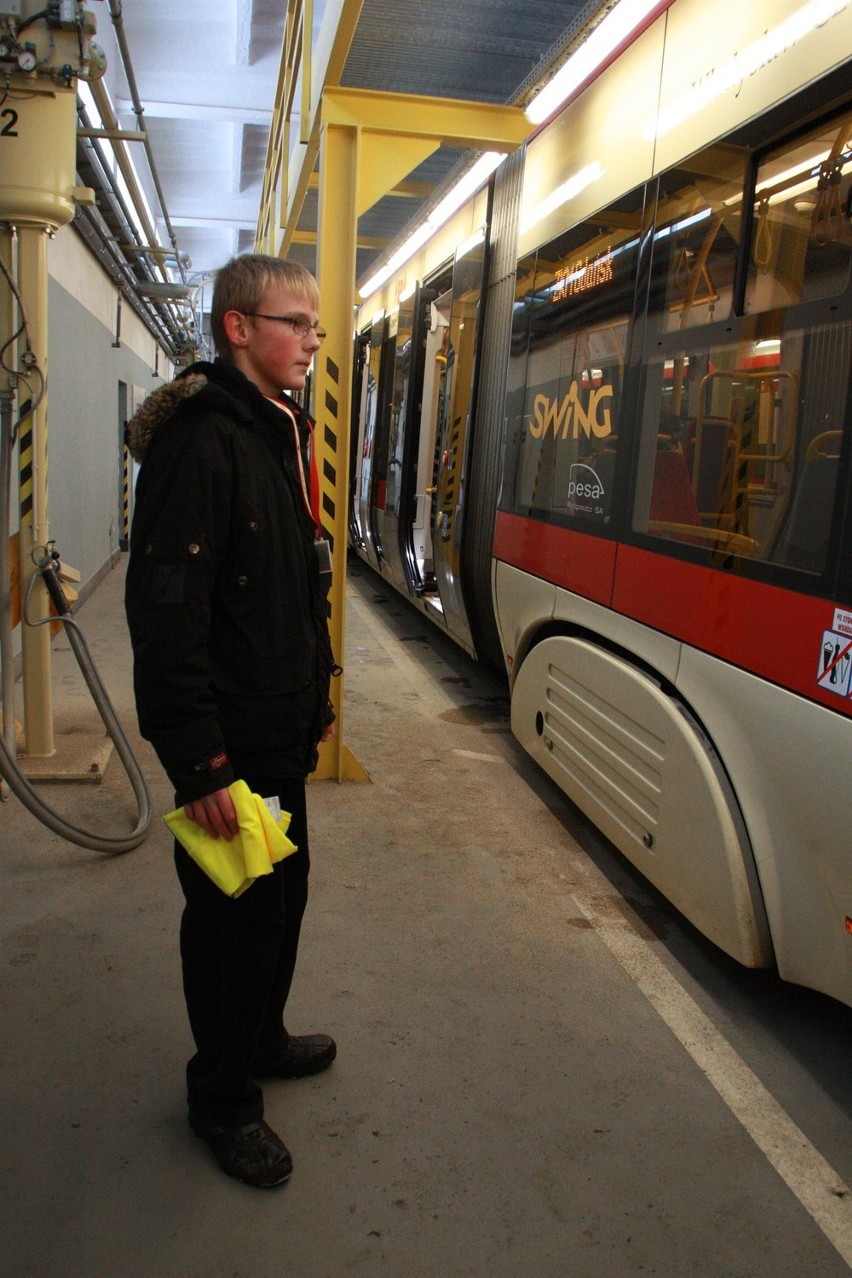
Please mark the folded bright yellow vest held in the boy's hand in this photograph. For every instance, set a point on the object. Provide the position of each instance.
(254, 852)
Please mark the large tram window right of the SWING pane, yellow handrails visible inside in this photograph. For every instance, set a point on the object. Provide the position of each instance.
(742, 417)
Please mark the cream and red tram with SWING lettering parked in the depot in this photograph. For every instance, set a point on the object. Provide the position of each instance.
(601, 435)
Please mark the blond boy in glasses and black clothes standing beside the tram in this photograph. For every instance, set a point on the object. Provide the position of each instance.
(227, 608)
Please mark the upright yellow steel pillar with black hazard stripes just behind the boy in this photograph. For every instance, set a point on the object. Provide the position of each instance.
(333, 402)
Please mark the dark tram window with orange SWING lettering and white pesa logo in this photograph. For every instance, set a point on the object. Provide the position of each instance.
(567, 370)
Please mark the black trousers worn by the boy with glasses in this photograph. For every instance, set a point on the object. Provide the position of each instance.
(238, 962)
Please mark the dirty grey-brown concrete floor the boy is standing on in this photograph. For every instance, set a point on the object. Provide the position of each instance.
(506, 1100)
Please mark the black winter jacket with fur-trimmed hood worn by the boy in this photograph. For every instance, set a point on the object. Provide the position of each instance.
(224, 596)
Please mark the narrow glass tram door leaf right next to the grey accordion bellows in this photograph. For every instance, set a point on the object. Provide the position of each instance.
(457, 402)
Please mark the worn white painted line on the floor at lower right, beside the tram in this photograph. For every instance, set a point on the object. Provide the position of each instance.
(804, 1170)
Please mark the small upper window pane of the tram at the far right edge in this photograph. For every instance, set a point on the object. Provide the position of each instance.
(802, 238)
